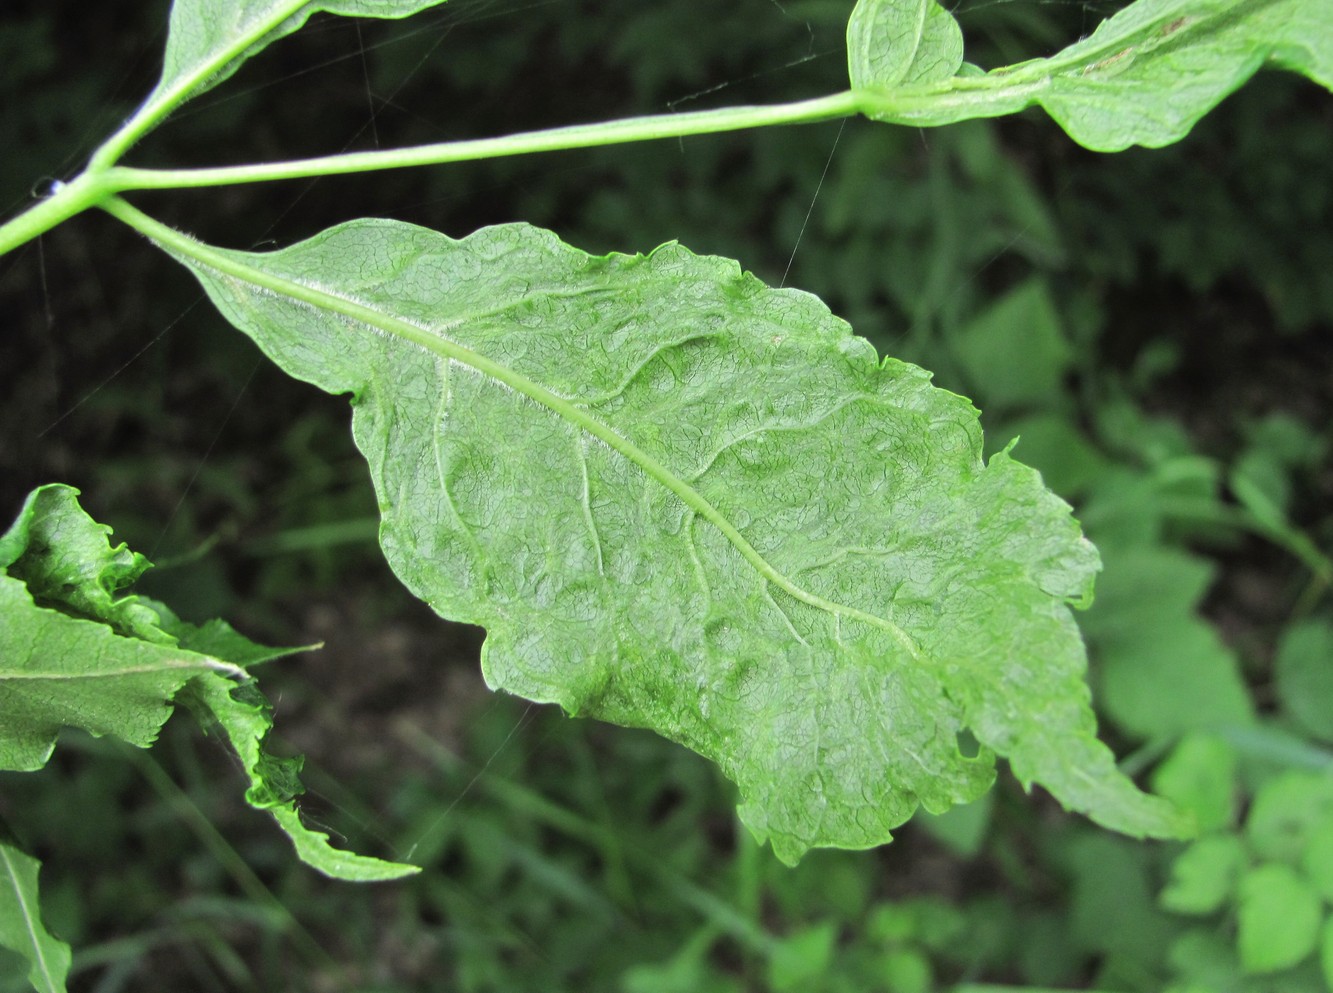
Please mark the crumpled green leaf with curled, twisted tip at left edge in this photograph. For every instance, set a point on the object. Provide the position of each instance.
(78, 652)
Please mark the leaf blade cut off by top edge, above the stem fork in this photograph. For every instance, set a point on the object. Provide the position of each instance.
(209, 41)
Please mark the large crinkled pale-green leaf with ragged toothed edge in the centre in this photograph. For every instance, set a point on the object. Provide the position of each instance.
(682, 500)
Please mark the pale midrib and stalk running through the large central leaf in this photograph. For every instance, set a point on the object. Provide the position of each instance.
(230, 266)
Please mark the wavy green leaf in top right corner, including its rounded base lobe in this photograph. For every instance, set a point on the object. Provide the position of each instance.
(1143, 78)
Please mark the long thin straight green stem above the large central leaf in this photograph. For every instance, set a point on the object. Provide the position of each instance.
(550, 141)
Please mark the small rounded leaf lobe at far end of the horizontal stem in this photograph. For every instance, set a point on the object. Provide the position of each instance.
(894, 43)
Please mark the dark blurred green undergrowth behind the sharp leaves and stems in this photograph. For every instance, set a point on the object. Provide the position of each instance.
(1155, 326)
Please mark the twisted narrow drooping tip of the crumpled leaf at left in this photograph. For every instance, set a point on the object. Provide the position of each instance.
(246, 719)
